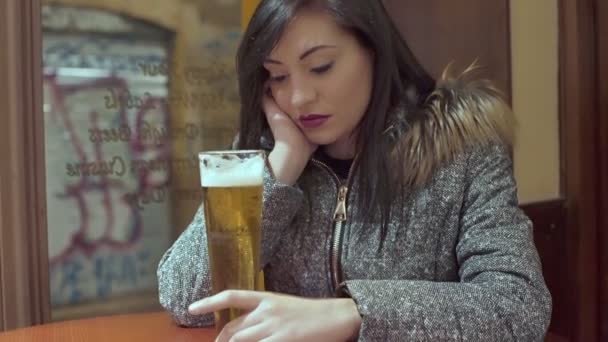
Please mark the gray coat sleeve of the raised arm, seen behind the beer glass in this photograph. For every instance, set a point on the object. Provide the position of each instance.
(183, 271)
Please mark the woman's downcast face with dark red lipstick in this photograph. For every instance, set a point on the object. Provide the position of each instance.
(321, 76)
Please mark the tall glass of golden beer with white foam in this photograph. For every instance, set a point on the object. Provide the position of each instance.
(232, 201)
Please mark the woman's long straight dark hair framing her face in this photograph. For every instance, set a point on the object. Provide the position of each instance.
(400, 85)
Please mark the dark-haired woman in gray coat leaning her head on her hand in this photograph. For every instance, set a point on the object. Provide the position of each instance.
(390, 209)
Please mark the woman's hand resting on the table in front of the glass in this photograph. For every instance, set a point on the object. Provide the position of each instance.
(276, 317)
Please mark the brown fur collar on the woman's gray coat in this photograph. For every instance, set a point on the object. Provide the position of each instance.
(460, 113)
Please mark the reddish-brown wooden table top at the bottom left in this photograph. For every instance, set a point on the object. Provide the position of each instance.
(137, 327)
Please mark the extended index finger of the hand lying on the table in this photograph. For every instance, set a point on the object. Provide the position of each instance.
(236, 299)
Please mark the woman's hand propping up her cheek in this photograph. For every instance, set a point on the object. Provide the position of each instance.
(292, 149)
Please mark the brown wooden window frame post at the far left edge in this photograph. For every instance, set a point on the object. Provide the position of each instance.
(24, 289)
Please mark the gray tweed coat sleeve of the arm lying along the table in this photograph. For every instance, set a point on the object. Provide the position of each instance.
(501, 295)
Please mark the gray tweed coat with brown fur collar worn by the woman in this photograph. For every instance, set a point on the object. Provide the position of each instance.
(458, 262)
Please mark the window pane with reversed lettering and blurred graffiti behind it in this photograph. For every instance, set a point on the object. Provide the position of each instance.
(132, 91)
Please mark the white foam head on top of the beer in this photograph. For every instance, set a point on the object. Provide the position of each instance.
(232, 173)
